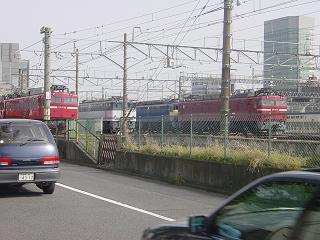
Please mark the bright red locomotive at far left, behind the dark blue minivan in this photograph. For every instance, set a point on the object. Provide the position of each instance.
(64, 105)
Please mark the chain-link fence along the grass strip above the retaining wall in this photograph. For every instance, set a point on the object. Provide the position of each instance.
(277, 139)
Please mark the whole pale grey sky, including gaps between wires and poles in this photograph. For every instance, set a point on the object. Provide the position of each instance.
(21, 22)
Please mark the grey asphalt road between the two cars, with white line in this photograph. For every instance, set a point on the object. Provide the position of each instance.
(92, 204)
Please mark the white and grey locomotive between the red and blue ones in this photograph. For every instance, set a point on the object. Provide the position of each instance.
(109, 111)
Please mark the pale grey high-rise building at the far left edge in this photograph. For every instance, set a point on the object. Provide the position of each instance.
(9, 65)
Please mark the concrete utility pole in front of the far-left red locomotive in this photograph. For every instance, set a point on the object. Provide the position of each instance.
(47, 71)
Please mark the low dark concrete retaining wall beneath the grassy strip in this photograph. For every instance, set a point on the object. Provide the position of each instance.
(217, 177)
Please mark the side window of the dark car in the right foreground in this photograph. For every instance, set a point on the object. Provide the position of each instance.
(268, 211)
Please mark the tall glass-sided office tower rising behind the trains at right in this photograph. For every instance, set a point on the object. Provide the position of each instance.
(292, 34)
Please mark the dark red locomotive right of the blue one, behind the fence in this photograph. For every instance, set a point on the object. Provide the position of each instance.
(249, 113)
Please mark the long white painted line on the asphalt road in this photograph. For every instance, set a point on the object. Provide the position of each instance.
(116, 202)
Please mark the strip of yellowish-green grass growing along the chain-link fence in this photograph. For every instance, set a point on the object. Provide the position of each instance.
(252, 157)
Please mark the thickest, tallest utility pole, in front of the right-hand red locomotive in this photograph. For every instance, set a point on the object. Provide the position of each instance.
(225, 83)
